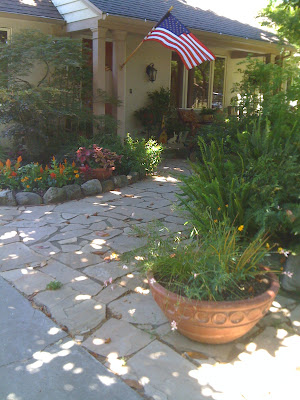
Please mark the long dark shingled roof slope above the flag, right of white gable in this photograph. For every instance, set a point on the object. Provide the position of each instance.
(192, 17)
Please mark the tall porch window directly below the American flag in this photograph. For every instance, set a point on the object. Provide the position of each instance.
(203, 86)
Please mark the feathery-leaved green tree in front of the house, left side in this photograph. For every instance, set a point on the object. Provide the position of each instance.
(45, 85)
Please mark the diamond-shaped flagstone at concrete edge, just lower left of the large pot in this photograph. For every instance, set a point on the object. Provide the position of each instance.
(117, 337)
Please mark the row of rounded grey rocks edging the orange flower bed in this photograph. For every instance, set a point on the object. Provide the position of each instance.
(56, 195)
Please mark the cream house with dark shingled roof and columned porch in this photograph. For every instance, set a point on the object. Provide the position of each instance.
(114, 28)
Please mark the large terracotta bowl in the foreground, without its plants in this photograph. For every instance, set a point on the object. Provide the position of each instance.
(213, 321)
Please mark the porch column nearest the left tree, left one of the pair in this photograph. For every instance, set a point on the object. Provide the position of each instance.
(99, 35)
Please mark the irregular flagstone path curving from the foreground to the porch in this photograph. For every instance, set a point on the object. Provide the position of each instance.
(106, 306)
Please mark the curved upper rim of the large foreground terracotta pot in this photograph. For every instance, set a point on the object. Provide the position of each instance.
(245, 303)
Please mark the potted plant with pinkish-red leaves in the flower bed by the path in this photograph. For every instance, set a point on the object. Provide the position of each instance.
(97, 162)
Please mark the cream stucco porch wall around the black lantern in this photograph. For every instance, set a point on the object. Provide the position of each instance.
(136, 78)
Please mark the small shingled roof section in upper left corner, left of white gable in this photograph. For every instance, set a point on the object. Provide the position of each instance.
(36, 8)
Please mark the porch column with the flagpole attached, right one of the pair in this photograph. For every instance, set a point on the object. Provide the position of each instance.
(119, 55)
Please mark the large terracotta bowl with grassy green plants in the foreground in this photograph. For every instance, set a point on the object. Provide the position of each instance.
(213, 289)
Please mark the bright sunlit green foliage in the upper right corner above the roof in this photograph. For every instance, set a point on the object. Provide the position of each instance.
(284, 16)
